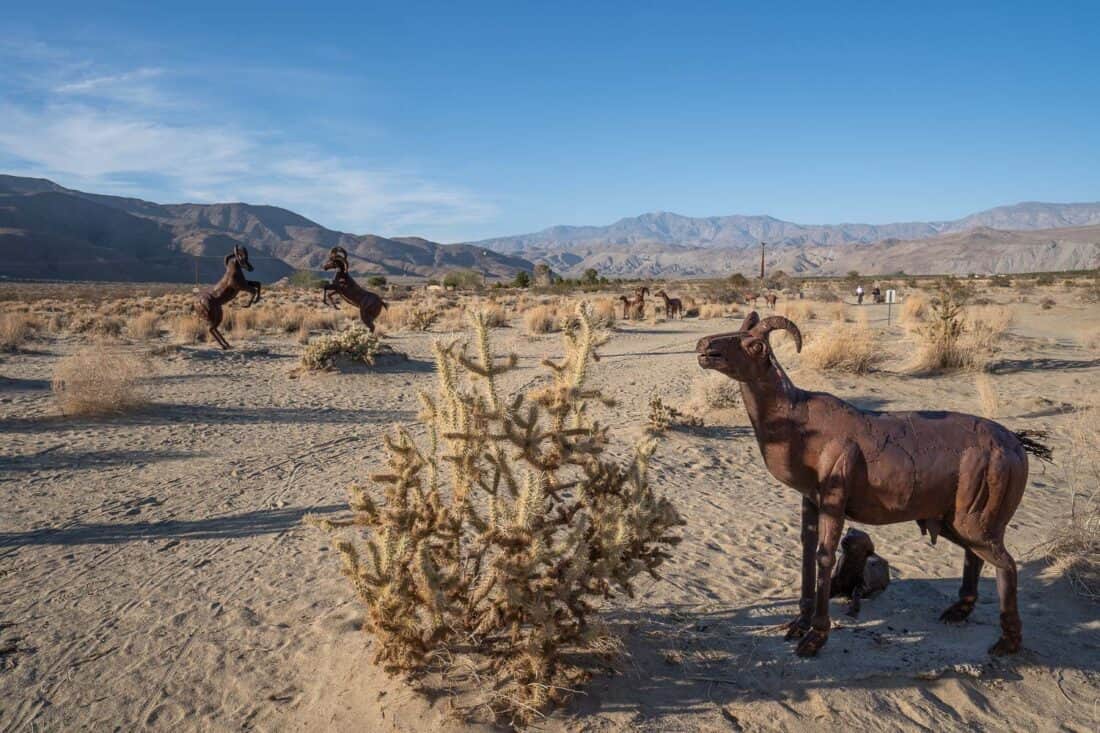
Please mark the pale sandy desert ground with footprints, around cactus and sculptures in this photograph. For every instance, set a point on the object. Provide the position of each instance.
(156, 573)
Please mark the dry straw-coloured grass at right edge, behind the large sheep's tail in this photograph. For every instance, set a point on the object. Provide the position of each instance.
(1075, 548)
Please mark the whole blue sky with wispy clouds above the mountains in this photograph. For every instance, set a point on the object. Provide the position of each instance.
(459, 122)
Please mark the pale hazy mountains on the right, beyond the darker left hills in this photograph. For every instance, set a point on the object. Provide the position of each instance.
(1022, 238)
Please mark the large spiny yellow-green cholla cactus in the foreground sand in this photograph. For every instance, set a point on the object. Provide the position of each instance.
(498, 533)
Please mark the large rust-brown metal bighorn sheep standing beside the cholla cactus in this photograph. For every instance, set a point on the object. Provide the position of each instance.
(955, 475)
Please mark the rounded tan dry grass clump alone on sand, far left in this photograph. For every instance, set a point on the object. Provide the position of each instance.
(97, 382)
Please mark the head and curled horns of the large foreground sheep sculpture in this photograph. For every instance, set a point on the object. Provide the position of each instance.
(745, 356)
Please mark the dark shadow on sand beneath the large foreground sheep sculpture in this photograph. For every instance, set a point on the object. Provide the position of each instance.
(684, 661)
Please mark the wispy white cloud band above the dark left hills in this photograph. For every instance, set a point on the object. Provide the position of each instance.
(119, 132)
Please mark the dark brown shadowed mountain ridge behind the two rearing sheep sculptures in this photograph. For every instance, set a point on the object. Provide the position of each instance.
(49, 232)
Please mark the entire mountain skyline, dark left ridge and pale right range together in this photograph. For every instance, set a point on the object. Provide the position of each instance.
(49, 232)
